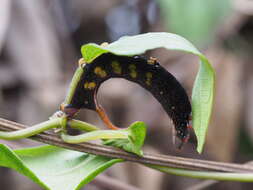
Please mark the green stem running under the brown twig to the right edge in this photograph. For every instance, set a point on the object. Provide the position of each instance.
(221, 176)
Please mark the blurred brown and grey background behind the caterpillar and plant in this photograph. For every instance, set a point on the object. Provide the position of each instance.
(40, 45)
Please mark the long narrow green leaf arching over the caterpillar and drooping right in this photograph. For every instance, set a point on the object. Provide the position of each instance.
(203, 90)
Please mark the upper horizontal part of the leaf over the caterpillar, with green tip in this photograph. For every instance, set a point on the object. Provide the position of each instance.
(139, 44)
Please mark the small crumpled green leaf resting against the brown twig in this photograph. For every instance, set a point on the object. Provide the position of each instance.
(136, 138)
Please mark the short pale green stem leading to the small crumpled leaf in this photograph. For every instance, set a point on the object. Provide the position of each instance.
(94, 135)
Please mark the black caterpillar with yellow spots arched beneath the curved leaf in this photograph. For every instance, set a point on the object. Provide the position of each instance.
(148, 73)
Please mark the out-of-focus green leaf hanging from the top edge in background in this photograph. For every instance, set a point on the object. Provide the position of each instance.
(204, 17)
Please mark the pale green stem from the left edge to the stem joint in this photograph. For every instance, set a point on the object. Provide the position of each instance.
(30, 131)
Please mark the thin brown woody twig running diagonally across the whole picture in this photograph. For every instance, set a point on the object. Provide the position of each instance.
(162, 160)
